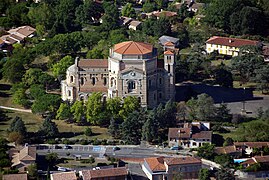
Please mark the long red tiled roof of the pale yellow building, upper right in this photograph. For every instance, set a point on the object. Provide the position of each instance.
(232, 42)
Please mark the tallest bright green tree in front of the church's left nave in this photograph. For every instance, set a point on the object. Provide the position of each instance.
(95, 109)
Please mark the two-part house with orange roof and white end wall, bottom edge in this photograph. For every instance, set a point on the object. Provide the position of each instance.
(158, 168)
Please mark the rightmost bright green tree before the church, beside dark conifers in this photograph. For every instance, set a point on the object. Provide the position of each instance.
(130, 105)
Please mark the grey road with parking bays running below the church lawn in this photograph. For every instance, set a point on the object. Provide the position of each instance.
(99, 151)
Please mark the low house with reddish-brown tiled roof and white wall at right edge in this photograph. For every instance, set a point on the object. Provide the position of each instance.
(248, 147)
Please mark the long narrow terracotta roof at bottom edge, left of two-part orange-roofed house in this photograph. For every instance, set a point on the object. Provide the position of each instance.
(102, 173)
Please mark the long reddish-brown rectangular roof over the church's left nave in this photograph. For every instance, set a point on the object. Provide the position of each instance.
(93, 63)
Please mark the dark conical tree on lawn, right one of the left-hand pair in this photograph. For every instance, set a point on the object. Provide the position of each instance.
(48, 129)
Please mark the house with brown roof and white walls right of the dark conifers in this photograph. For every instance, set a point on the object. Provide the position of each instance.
(189, 136)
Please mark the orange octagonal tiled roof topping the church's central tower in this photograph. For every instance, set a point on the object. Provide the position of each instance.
(131, 47)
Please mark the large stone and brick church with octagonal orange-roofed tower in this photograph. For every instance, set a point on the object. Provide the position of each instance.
(132, 69)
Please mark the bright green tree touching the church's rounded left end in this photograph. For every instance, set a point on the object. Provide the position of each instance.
(59, 69)
